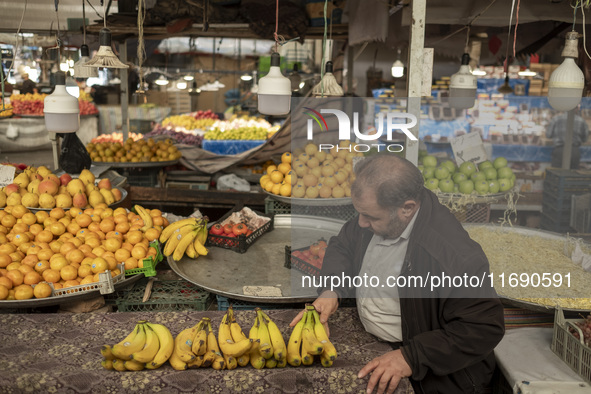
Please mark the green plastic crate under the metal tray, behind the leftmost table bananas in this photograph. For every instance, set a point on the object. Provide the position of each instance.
(166, 296)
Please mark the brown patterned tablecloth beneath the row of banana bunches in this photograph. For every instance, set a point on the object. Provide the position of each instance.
(65, 356)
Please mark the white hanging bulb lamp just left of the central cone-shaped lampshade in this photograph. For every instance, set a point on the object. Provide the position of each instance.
(274, 90)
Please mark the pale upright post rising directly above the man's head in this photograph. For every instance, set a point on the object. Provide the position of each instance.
(415, 77)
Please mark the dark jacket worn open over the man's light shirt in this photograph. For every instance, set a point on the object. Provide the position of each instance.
(448, 335)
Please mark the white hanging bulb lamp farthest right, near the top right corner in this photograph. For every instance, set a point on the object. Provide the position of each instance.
(567, 81)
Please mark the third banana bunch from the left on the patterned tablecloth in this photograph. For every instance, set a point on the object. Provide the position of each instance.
(235, 346)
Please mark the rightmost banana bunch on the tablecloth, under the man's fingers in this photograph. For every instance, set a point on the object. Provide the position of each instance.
(309, 339)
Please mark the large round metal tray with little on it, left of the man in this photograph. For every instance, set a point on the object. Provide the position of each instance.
(225, 272)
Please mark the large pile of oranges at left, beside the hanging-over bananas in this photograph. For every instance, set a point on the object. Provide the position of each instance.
(69, 247)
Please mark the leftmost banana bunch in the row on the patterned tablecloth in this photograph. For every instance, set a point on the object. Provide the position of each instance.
(148, 346)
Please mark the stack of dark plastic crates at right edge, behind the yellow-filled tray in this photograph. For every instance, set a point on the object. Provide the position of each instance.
(559, 187)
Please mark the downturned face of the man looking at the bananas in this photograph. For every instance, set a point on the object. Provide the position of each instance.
(379, 220)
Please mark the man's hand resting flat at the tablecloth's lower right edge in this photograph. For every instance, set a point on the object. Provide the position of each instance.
(388, 369)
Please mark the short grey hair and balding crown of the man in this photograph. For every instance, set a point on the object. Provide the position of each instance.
(393, 179)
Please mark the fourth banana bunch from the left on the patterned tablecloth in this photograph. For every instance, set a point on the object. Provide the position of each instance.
(268, 349)
